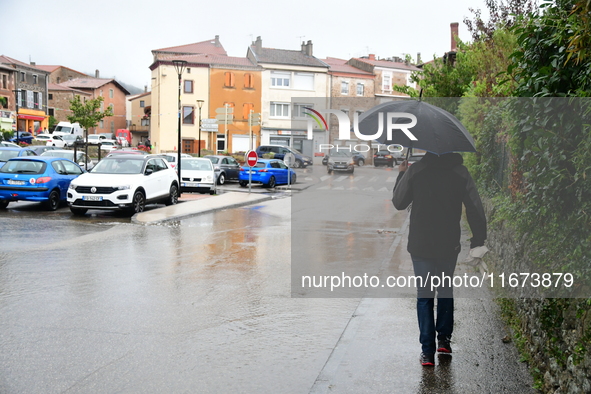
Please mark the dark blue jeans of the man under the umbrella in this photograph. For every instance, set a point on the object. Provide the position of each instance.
(426, 268)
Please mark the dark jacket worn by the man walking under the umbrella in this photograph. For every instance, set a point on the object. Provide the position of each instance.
(437, 186)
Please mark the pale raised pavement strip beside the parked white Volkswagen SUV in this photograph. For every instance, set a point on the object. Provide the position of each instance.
(198, 207)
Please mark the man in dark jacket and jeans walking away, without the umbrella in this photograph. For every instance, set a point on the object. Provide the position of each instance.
(437, 186)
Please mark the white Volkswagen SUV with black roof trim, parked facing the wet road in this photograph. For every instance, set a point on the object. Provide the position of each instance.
(125, 183)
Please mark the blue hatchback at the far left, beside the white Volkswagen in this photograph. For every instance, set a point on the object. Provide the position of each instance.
(41, 179)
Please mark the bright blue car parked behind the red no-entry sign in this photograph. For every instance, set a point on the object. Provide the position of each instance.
(269, 172)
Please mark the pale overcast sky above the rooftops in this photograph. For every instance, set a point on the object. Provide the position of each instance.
(117, 36)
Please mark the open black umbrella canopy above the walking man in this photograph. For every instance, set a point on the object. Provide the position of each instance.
(436, 130)
